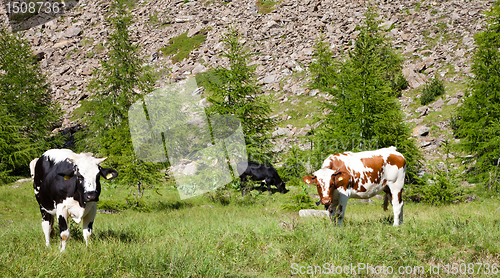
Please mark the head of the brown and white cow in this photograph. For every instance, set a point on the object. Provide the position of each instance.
(327, 181)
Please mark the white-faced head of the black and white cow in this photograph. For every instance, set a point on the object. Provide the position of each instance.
(86, 171)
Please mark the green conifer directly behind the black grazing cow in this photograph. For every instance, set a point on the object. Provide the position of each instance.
(235, 92)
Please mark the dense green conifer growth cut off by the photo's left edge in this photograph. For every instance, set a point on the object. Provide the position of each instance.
(27, 112)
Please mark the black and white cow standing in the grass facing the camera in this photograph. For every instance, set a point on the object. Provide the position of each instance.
(67, 184)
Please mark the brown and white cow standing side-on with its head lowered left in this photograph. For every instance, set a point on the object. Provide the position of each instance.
(361, 175)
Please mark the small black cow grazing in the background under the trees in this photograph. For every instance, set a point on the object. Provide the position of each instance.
(260, 172)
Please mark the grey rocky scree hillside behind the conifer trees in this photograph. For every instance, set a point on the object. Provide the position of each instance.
(435, 38)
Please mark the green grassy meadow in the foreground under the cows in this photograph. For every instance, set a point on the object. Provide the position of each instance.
(250, 237)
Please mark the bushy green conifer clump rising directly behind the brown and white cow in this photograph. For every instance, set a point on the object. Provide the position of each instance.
(365, 113)
